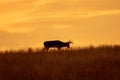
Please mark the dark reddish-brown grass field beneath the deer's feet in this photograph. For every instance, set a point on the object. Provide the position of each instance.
(92, 63)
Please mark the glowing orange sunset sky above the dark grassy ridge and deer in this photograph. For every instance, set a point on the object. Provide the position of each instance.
(26, 23)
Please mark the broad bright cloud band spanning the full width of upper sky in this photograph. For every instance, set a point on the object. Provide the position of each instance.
(52, 9)
